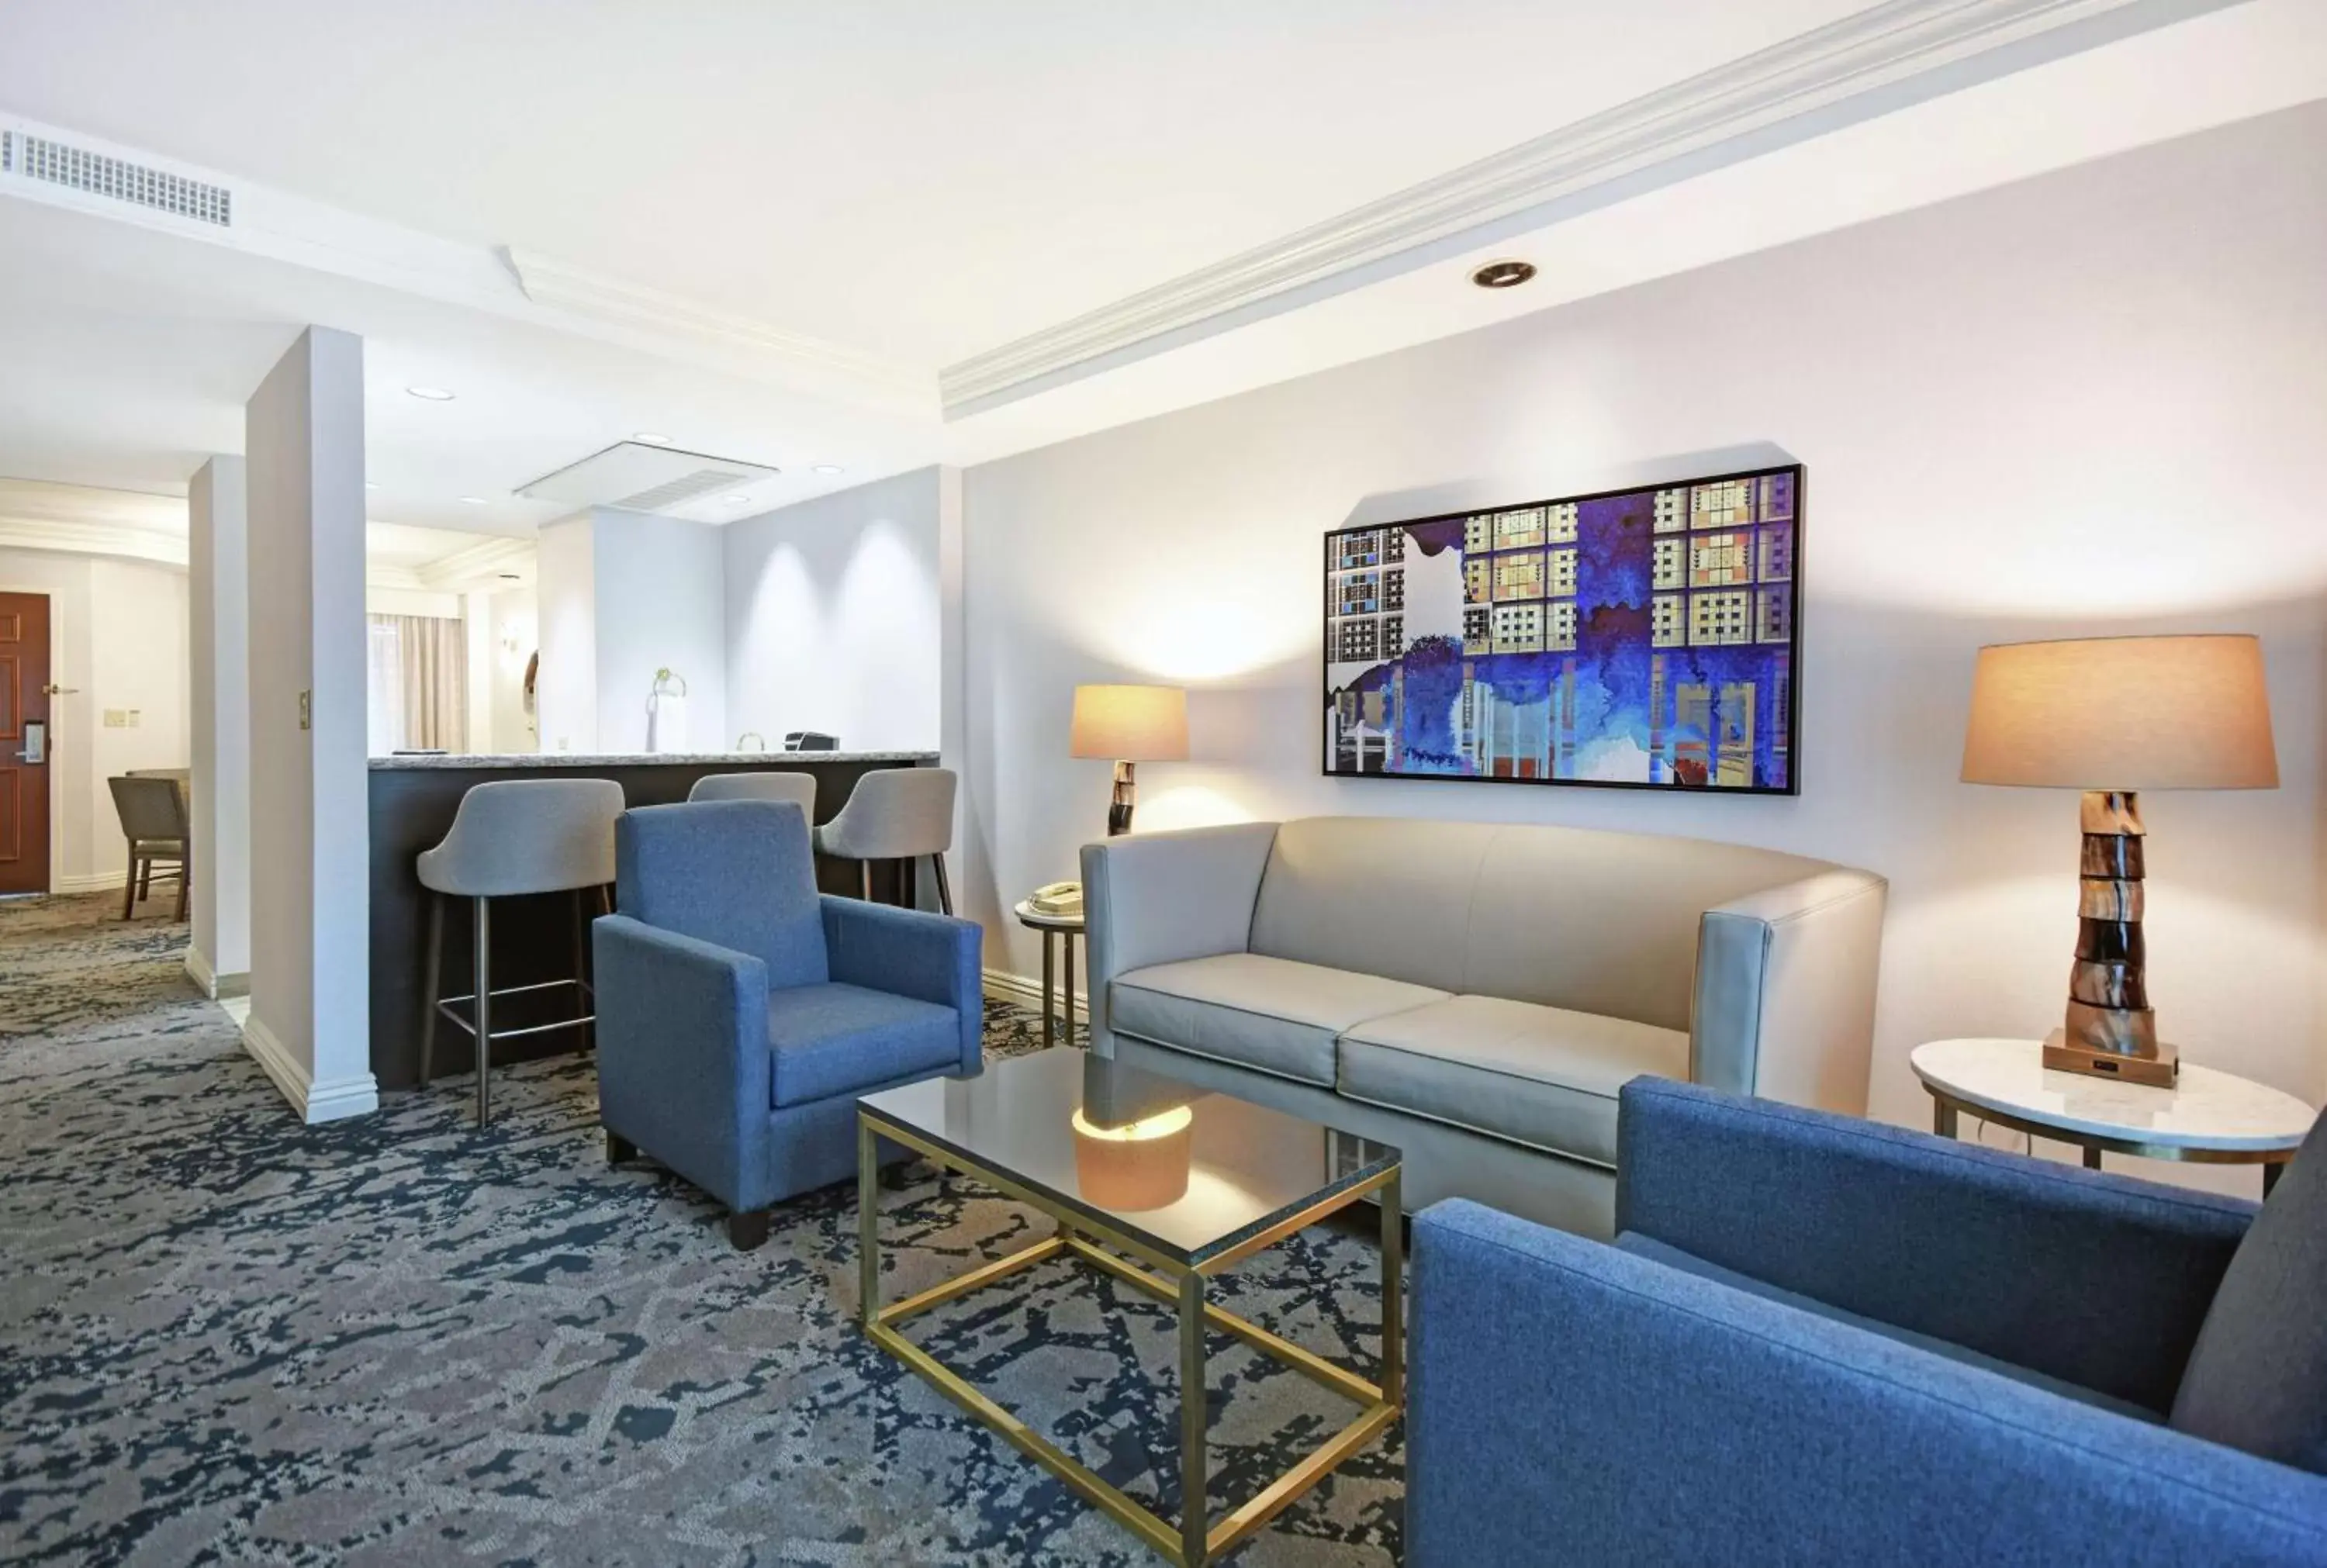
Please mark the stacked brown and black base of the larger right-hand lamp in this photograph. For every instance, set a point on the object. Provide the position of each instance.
(2109, 1029)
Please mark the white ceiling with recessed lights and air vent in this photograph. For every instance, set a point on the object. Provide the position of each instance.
(750, 227)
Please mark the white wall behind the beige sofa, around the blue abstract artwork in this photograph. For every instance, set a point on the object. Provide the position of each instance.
(2077, 406)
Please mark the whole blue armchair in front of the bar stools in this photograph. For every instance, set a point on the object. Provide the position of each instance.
(741, 1013)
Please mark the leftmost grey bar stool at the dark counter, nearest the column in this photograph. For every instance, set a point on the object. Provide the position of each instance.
(515, 839)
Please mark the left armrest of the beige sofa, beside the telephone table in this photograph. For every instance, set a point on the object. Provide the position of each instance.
(1167, 897)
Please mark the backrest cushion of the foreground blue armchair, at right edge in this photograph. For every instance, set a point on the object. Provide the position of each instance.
(2258, 1374)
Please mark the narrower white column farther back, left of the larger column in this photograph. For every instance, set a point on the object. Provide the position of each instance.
(218, 608)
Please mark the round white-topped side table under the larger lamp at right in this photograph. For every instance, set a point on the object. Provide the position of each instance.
(2207, 1118)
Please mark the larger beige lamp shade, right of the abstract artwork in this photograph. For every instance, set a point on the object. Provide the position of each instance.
(2121, 713)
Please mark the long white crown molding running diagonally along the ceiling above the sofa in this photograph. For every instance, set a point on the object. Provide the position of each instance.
(1851, 71)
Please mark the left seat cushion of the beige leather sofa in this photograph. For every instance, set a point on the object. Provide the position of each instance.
(1260, 1013)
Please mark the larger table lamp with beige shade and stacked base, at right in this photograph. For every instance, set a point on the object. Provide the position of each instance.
(2114, 718)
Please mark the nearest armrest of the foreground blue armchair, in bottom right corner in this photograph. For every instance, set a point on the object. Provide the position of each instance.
(1577, 1404)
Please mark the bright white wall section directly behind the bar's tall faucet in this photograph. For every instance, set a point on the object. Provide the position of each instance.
(660, 608)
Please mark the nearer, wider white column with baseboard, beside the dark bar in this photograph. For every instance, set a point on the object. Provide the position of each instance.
(311, 920)
